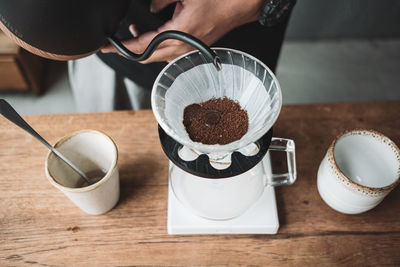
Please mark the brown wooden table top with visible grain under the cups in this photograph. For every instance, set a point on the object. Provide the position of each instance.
(40, 226)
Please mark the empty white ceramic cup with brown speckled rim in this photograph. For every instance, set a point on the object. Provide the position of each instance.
(360, 168)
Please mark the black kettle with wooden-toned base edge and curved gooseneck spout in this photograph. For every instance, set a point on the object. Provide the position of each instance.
(71, 29)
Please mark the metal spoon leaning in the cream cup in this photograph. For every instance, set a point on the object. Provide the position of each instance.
(9, 112)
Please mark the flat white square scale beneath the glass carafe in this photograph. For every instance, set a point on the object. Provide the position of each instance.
(261, 218)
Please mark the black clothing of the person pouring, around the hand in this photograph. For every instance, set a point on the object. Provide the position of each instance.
(261, 42)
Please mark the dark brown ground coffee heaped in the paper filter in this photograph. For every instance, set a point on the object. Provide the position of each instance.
(216, 121)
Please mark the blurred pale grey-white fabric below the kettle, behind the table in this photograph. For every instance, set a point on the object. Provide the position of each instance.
(98, 88)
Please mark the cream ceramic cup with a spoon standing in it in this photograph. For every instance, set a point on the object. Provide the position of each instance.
(91, 151)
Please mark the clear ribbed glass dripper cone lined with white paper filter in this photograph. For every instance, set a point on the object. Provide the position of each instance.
(191, 79)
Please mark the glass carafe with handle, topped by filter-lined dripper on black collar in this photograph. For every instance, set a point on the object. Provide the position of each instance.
(220, 182)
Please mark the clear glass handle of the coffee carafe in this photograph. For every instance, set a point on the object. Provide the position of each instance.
(288, 146)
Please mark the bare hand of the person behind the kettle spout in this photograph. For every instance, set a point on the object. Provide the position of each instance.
(208, 20)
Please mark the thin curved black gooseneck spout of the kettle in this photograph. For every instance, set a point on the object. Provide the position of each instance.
(184, 37)
